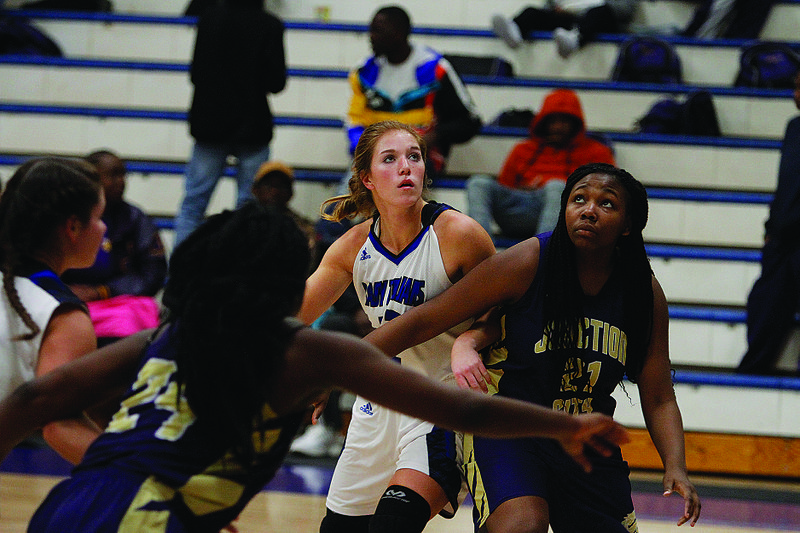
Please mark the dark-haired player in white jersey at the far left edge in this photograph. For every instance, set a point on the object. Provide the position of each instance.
(50, 221)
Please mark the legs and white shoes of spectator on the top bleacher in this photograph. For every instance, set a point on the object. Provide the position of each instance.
(573, 22)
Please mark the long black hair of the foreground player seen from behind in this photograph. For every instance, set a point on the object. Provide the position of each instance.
(231, 284)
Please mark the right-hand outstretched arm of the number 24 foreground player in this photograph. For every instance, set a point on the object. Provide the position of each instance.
(354, 365)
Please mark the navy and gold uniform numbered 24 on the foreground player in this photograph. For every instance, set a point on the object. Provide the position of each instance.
(166, 468)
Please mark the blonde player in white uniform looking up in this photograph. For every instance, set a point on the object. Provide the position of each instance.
(406, 252)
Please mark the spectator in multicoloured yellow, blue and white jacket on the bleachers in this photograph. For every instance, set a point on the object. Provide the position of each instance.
(412, 84)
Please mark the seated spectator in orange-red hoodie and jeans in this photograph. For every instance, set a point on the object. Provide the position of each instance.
(525, 199)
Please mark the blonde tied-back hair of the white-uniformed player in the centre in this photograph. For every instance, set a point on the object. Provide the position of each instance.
(359, 199)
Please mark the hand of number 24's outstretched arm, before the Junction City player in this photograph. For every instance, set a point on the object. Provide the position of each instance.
(597, 431)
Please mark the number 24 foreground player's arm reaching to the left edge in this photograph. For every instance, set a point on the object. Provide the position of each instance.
(68, 390)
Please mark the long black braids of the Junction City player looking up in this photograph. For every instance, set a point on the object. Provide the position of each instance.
(563, 300)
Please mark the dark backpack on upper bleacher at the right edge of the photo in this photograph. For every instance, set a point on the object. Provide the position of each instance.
(768, 65)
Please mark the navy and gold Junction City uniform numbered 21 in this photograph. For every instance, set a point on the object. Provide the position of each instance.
(578, 380)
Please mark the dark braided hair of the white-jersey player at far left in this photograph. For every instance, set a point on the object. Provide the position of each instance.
(41, 196)
